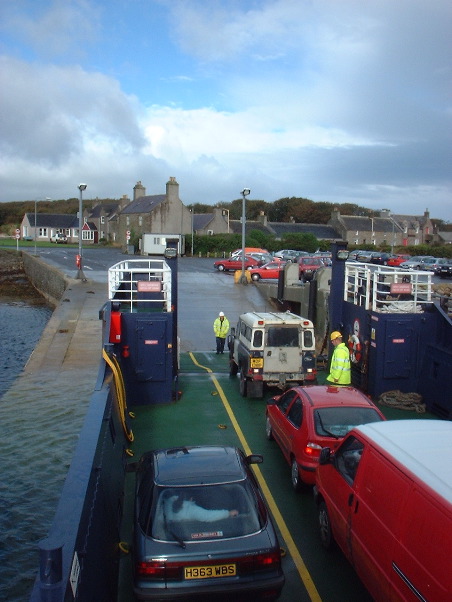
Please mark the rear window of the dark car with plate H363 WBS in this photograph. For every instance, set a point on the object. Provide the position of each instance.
(205, 512)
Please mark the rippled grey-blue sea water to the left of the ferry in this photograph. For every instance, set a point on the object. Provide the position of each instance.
(25, 425)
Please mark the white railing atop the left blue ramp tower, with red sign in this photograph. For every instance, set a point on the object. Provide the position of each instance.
(141, 285)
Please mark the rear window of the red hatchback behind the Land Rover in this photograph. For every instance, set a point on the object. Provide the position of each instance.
(337, 422)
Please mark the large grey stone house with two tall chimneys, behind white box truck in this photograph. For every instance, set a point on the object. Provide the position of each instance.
(159, 213)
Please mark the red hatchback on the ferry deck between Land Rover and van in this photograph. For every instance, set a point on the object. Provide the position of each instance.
(304, 419)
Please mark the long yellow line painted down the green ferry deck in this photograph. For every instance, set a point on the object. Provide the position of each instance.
(292, 548)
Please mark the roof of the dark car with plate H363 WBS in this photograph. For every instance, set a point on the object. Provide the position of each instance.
(197, 465)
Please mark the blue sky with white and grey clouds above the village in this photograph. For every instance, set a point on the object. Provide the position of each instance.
(333, 100)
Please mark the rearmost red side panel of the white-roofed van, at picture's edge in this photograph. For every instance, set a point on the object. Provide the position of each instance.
(423, 561)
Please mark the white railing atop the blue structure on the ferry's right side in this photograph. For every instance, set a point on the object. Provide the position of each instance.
(387, 289)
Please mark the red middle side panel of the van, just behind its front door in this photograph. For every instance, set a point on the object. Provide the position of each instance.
(381, 493)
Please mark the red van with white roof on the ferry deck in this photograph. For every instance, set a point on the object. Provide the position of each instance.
(385, 497)
